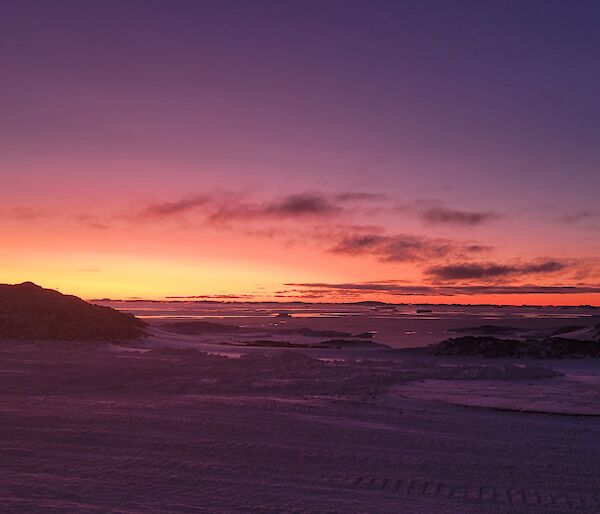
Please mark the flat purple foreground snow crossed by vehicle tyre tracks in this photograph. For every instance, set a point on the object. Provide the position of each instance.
(203, 453)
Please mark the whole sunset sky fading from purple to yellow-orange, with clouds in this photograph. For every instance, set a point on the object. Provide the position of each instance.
(404, 151)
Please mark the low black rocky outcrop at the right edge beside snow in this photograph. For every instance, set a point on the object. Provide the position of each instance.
(547, 348)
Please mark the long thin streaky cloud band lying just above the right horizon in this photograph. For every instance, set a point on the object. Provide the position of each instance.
(400, 289)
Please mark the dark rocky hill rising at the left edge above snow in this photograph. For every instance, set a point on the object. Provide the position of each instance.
(30, 312)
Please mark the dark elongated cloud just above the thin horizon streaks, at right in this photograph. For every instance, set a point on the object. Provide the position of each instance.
(488, 271)
